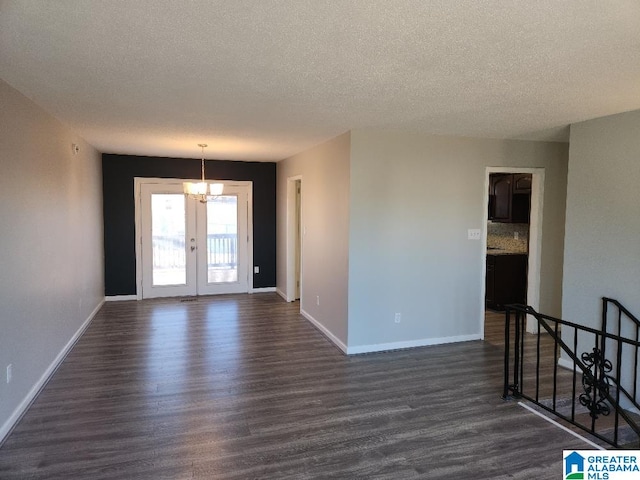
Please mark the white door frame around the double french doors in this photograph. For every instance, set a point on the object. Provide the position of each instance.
(138, 181)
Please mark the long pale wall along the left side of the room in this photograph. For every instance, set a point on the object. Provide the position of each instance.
(51, 245)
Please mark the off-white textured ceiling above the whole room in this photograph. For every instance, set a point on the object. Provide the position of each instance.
(265, 79)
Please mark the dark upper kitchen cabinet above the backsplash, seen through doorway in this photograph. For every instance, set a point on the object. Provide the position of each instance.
(509, 197)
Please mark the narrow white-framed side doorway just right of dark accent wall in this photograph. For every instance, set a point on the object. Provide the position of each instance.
(292, 244)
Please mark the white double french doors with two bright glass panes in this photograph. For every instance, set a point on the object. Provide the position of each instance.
(192, 248)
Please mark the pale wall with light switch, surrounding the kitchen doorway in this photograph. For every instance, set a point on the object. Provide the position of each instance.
(412, 199)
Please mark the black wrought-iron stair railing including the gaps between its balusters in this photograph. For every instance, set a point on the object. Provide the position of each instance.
(574, 381)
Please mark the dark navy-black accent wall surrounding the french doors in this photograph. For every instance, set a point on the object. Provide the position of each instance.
(118, 172)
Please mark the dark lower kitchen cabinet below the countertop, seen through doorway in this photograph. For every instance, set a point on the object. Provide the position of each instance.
(506, 280)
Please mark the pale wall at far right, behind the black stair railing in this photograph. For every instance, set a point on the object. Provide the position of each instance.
(602, 244)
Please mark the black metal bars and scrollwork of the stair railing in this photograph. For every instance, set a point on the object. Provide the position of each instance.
(594, 368)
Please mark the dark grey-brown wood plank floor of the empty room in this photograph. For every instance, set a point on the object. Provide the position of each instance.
(241, 387)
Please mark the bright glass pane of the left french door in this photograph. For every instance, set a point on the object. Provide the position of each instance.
(168, 239)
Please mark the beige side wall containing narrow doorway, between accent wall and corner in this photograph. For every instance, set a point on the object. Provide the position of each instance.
(325, 218)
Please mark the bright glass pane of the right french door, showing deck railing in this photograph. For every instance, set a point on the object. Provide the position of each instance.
(222, 239)
